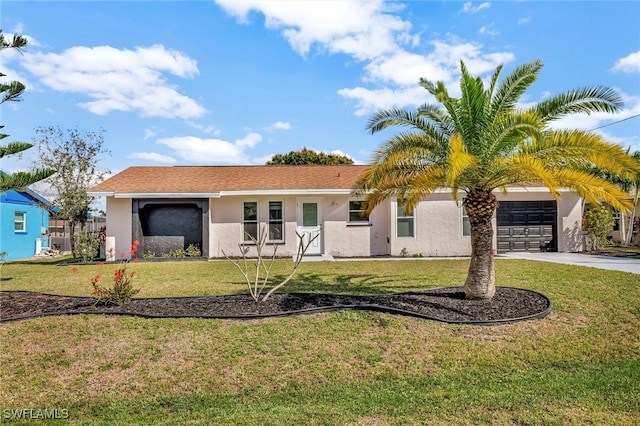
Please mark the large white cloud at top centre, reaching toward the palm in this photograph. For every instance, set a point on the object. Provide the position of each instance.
(371, 31)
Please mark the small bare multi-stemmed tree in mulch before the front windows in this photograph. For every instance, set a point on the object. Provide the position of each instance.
(255, 281)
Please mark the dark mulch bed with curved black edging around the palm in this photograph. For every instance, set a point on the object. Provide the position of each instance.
(442, 304)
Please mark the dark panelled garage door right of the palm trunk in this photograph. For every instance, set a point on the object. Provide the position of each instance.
(527, 226)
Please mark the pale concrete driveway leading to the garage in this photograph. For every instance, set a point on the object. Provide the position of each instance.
(602, 262)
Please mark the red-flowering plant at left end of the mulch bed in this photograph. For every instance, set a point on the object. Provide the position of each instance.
(122, 290)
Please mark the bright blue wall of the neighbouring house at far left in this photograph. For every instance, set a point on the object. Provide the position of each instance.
(20, 245)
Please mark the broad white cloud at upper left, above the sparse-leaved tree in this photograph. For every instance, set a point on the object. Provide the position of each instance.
(120, 79)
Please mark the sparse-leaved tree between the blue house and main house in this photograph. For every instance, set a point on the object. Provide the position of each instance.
(75, 154)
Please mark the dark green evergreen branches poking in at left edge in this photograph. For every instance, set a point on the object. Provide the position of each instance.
(12, 91)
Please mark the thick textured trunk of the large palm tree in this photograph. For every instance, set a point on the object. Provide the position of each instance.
(480, 283)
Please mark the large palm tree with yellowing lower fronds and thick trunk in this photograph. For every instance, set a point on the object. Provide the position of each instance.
(482, 141)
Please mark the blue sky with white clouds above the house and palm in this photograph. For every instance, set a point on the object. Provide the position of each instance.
(234, 82)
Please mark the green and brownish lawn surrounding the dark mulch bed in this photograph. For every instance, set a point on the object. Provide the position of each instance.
(580, 365)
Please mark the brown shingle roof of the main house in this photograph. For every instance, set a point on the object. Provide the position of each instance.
(215, 179)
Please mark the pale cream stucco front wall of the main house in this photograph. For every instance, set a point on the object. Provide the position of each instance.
(438, 225)
